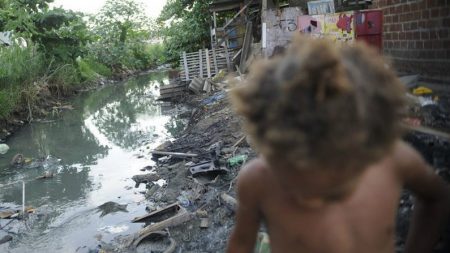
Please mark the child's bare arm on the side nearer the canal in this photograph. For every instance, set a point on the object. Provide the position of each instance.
(248, 215)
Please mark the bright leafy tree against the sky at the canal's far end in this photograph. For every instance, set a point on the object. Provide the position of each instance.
(122, 35)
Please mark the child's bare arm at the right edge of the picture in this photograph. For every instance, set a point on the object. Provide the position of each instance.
(432, 201)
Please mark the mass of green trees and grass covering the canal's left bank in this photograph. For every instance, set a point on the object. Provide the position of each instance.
(57, 51)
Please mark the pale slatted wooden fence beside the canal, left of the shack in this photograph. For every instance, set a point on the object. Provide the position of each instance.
(204, 63)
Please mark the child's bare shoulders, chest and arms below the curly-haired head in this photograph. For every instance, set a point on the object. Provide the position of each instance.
(331, 211)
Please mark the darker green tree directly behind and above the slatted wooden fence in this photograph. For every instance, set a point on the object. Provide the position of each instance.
(188, 28)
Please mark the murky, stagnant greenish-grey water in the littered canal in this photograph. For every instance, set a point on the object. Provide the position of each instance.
(94, 150)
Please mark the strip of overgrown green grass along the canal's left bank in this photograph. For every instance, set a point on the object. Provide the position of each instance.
(27, 77)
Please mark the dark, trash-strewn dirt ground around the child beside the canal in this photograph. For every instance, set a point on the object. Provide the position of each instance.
(212, 132)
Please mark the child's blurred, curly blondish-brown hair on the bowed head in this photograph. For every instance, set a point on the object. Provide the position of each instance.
(322, 106)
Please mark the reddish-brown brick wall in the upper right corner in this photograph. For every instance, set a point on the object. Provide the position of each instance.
(417, 36)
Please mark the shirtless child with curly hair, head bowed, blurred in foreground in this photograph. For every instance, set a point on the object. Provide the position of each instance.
(326, 122)
